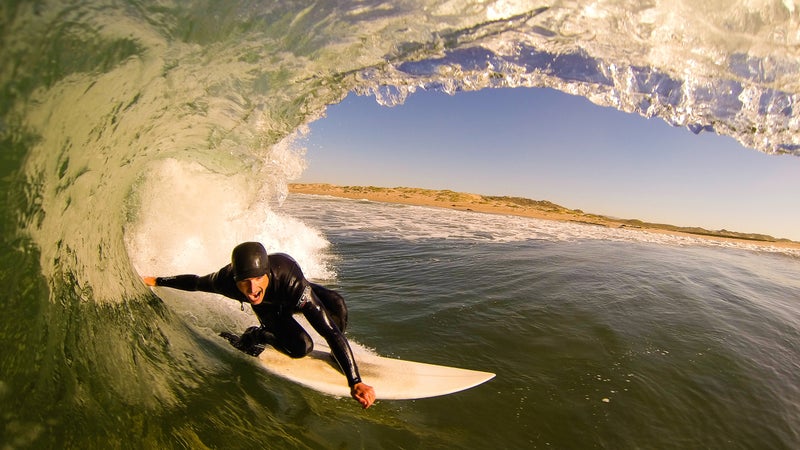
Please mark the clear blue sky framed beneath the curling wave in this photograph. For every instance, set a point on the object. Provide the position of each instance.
(546, 145)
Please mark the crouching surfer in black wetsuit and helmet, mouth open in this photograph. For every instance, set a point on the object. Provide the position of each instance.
(275, 287)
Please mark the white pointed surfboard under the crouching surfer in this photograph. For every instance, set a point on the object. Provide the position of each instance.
(392, 379)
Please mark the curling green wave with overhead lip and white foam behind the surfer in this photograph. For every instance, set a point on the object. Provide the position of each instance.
(152, 136)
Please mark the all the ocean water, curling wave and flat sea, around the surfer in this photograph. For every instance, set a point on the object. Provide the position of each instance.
(150, 137)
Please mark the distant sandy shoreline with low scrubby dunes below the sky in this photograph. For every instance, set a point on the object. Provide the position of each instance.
(523, 207)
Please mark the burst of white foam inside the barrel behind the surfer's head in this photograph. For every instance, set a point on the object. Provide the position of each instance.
(190, 218)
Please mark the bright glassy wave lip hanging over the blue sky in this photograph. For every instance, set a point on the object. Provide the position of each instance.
(676, 62)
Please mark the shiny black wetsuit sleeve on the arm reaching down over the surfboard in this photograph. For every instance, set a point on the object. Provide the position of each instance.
(313, 309)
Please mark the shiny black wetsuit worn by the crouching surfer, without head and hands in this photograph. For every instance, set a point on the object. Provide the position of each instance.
(288, 292)
